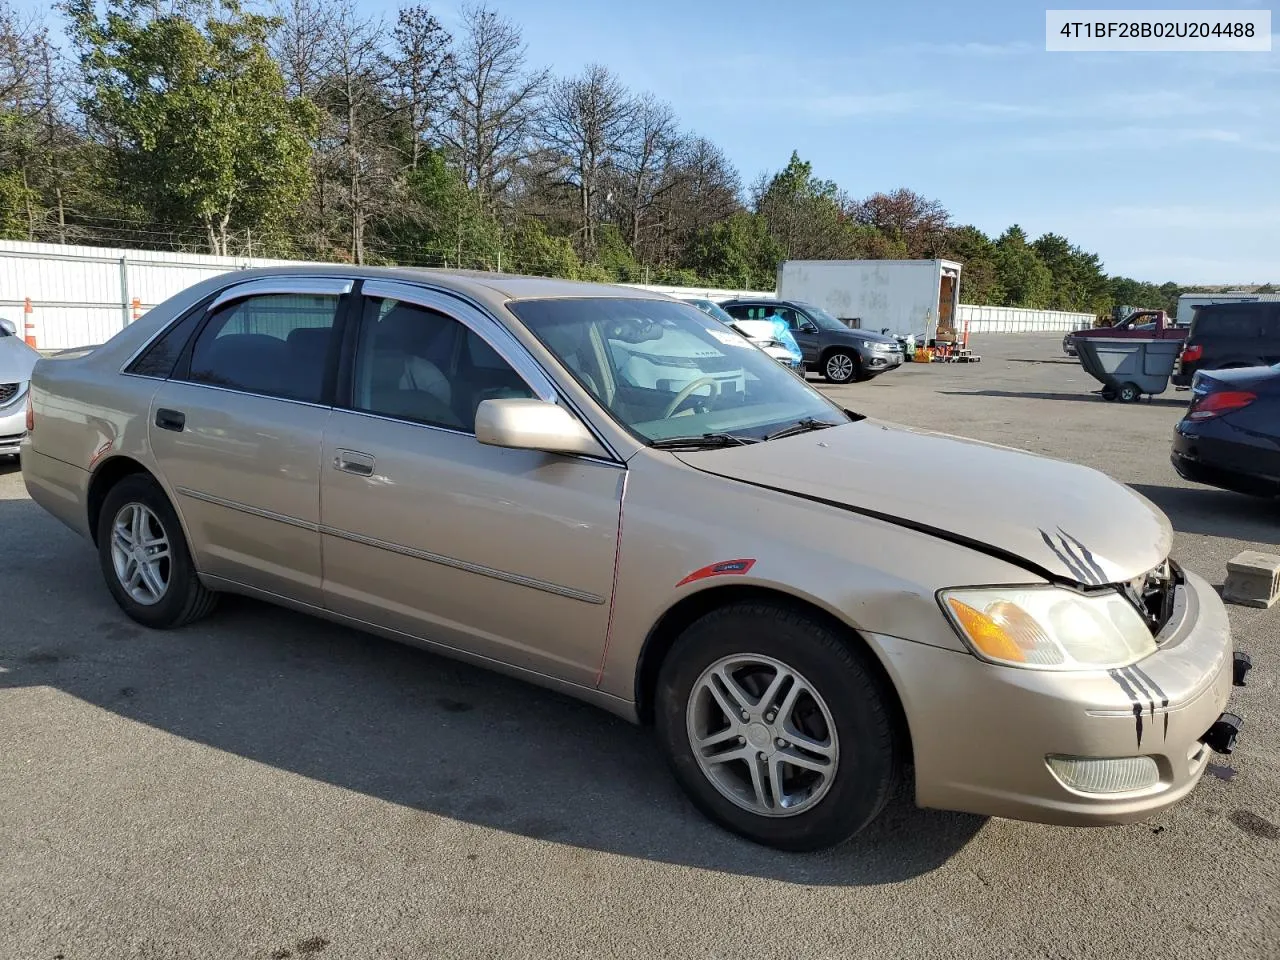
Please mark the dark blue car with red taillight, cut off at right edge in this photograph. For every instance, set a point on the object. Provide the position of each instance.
(1231, 435)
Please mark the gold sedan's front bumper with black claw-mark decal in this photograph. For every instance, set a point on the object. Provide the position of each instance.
(982, 734)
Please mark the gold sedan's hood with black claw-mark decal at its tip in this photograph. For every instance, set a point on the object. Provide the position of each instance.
(1057, 519)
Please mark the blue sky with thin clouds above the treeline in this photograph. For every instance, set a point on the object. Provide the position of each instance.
(1164, 164)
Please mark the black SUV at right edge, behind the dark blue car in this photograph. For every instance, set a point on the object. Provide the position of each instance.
(1226, 336)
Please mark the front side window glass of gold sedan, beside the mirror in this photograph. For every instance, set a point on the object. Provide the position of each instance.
(422, 365)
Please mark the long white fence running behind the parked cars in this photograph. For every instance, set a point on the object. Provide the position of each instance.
(81, 296)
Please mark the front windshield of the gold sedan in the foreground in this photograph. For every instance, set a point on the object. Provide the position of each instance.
(668, 371)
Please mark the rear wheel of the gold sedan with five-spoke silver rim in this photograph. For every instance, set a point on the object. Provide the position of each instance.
(184, 598)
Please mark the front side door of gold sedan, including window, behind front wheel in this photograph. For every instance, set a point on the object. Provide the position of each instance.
(504, 554)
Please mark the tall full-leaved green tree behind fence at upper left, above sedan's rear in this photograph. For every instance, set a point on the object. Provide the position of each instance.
(200, 129)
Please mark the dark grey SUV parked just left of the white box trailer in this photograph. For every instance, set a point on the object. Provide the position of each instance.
(836, 351)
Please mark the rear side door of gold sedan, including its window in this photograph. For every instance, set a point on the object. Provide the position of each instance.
(237, 433)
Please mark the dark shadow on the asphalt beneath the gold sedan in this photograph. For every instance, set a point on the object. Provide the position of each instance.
(400, 724)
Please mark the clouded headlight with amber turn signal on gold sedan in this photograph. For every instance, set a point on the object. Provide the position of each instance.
(1048, 628)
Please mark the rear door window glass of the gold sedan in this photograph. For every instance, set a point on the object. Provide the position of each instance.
(276, 345)
